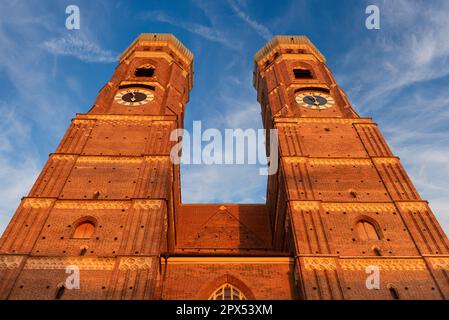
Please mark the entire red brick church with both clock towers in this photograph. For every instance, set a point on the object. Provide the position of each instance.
(342, 219)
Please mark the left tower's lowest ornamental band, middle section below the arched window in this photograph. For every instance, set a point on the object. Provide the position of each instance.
(57, 263)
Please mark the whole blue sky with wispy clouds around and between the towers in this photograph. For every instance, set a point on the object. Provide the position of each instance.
(399, 75)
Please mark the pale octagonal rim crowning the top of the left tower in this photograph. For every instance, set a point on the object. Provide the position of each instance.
(164, 38)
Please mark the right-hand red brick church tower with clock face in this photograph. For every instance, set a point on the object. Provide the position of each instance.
(341, 200)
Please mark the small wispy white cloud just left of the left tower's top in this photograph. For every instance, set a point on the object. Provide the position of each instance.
(80, 48)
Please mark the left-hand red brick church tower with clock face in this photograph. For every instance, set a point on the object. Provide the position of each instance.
(104, 200)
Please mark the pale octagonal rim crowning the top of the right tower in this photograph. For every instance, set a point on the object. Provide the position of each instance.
(288, 41)
